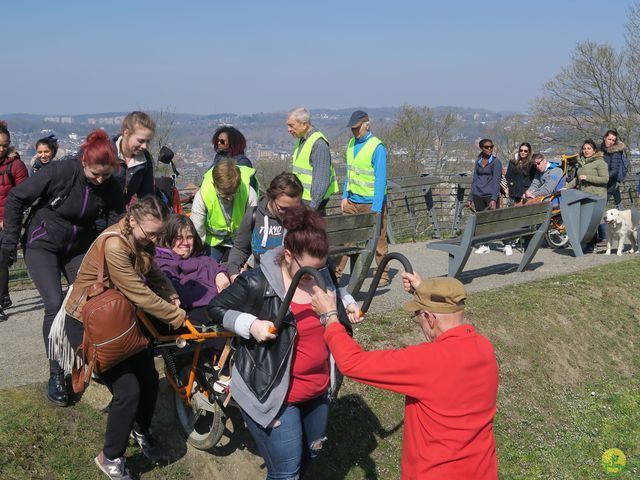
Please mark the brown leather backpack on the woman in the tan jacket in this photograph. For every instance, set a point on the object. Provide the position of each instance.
(111, 330)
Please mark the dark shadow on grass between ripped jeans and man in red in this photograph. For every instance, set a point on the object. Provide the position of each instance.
(353, 434)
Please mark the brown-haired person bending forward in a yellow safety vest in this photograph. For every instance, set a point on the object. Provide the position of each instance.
(219, 205)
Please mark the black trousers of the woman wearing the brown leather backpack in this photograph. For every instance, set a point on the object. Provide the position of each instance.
(134, 385)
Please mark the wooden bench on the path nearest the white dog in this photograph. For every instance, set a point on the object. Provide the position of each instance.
(522, 221)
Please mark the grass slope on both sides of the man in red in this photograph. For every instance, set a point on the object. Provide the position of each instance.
(557, 341)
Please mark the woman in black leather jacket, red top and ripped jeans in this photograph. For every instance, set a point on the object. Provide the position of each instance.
(282, 381)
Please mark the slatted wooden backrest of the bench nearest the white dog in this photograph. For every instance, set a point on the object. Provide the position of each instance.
(512, 219)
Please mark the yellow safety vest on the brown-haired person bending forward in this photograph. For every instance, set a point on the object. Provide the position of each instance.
(218, 225)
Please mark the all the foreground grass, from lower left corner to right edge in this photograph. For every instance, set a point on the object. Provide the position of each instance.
(569, 390)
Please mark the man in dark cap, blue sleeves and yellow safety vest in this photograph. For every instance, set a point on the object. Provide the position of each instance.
(365, 186)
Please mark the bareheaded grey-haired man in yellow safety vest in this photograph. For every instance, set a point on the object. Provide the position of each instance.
(311, 160)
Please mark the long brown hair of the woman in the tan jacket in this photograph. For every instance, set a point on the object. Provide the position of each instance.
(144, 208)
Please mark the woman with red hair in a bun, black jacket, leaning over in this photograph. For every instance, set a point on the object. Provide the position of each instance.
(67, 199)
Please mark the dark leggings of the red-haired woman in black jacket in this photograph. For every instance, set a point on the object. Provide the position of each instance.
(44, 269)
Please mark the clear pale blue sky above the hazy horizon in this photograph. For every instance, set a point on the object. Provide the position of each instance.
(206, 57)
